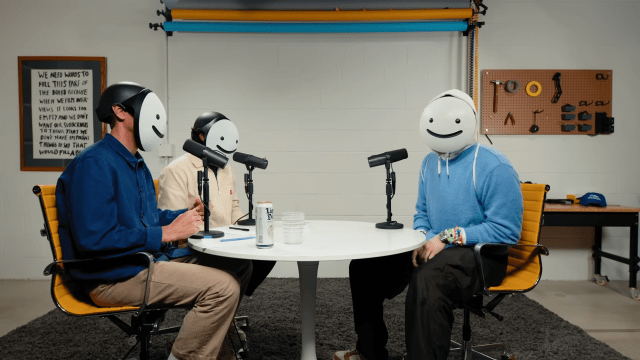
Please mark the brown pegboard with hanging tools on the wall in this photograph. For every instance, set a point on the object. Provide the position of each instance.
(586, 90)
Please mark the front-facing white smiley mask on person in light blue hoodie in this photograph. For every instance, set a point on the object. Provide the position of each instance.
(449, 122)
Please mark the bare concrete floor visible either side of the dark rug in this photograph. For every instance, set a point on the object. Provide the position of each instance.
(607, 313)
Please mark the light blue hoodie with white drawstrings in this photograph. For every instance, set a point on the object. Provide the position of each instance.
(481, 194)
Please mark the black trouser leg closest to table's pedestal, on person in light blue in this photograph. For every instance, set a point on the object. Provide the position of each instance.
(372, 281)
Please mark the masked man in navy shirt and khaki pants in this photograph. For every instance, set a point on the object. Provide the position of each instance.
(107, 208)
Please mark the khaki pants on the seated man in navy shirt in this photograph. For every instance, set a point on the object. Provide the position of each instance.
(211, 285)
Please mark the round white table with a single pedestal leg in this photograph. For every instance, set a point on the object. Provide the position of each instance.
(323, 241)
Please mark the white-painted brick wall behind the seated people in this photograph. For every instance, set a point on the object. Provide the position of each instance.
(317, 105)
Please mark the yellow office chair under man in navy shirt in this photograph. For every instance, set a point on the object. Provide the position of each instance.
(69, 296)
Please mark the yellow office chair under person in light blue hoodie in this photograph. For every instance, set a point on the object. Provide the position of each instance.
(524, 269)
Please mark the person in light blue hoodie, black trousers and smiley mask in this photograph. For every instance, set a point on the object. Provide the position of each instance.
(467, 194)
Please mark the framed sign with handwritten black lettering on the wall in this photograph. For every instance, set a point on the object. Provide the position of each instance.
(58, 96)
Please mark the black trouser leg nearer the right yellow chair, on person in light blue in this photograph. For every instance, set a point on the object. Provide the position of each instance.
(435, 290)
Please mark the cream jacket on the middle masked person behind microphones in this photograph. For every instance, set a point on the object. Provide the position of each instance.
(178, 189)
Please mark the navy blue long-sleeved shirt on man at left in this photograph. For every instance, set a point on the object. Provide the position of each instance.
(107, 208)
